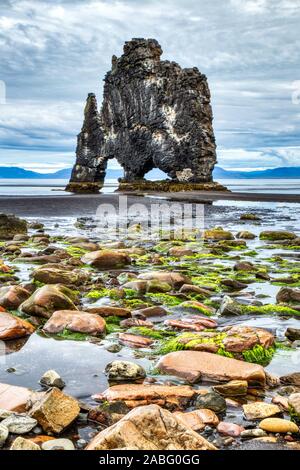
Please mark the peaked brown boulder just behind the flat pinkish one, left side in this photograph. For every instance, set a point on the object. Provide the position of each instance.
(46, 300)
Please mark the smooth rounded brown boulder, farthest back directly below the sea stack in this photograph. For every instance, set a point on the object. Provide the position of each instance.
(105, 259)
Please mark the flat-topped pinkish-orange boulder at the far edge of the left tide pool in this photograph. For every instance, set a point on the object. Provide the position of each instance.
(75, 321)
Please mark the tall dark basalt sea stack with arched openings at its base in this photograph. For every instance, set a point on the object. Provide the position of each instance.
(154, 115)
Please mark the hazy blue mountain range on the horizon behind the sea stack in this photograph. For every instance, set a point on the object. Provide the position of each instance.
(219, 173)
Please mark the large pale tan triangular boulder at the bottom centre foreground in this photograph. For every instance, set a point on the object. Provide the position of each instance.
(149, 428)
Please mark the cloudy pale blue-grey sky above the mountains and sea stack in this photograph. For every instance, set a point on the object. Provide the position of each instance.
(53, 53)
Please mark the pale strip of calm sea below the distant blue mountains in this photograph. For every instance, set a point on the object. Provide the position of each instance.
(40, 187)
